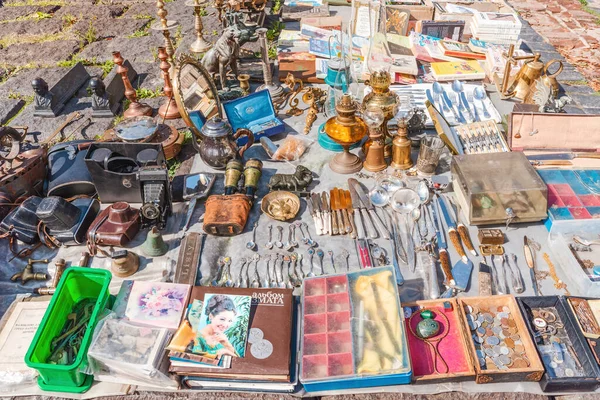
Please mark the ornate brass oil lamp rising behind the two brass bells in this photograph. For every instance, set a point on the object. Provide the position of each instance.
(381, 97)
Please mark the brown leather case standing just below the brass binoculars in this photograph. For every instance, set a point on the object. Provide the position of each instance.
(226, 215)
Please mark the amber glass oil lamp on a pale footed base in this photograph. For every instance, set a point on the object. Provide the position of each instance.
(345, 129)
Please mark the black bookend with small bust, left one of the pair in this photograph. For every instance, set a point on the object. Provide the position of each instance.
(49, 102)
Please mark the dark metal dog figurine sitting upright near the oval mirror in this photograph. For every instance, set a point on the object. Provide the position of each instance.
(223, 54)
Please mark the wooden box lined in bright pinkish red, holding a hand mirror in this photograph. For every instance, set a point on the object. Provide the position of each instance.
(454, 348)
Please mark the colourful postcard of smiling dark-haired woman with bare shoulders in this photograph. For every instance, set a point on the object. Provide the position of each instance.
(223, 328)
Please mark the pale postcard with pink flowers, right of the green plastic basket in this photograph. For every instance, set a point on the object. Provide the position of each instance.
(157, 304)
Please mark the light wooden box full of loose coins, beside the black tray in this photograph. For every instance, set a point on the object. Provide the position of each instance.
(500, 345)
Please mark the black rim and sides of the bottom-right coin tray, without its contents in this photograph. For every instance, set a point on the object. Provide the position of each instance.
(588, 381)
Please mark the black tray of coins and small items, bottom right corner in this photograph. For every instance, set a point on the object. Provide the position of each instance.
(570, 366)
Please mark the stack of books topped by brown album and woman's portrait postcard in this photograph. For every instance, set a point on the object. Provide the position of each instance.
(260, 357)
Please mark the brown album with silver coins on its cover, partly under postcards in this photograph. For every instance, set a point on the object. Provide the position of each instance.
(268, 351)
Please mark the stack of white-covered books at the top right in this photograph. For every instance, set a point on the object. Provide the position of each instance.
(498, 28)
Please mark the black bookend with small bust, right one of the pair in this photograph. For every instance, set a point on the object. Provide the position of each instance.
(107, 94)
